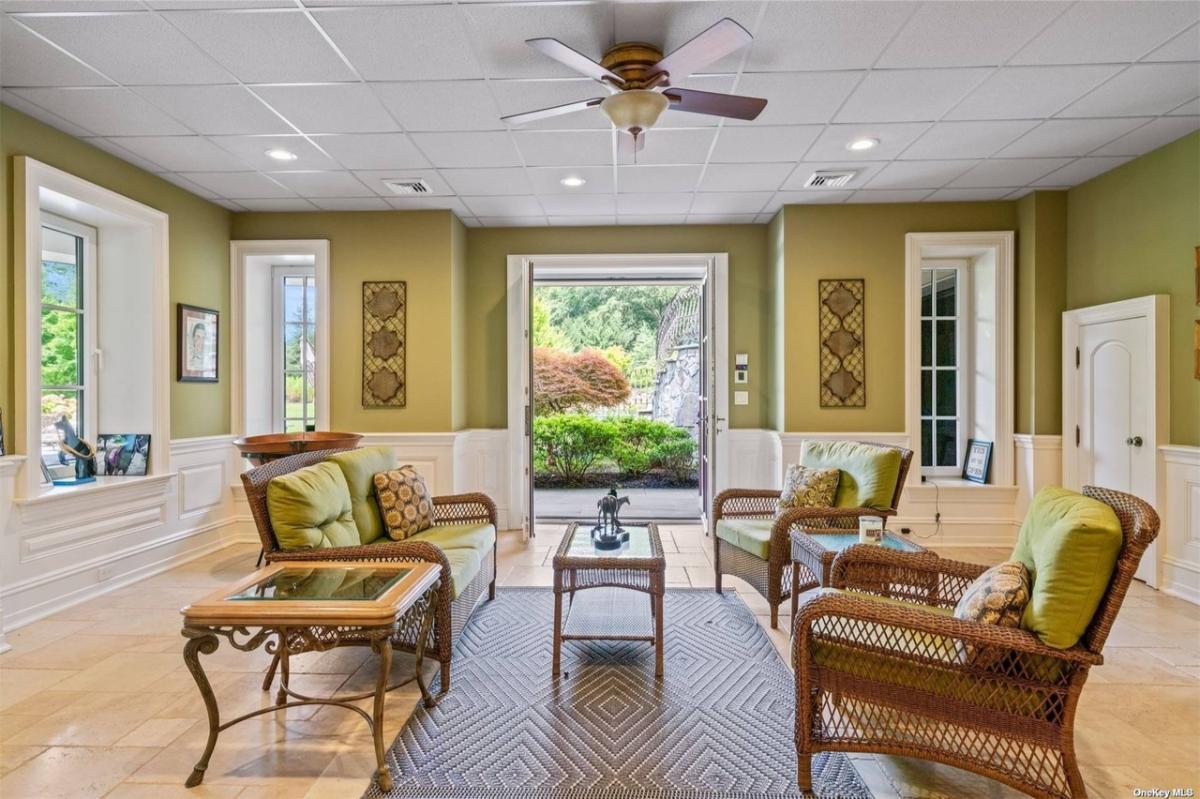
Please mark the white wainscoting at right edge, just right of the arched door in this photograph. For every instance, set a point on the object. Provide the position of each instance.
(1179, 540)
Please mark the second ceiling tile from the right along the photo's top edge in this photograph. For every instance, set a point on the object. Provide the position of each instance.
(968, 34)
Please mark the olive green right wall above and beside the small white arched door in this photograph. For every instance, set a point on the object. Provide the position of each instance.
(1133, 232)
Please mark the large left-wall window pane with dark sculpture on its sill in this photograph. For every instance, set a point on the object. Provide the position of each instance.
(68, 341)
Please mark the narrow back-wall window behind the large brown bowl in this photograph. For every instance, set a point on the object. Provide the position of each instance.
(296, 356)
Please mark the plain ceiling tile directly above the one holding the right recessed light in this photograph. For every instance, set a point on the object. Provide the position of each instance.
(909, 95)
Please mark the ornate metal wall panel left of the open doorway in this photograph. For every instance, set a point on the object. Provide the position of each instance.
(385, 314)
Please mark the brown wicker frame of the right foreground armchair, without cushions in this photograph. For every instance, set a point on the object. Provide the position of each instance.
(896, 678)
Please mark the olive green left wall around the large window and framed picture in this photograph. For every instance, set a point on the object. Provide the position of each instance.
(200, 256)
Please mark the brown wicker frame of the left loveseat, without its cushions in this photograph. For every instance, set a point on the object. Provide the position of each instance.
(453, 614)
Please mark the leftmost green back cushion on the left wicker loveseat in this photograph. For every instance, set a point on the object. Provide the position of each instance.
(310, 508)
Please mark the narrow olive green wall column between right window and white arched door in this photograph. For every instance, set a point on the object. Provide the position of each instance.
(1041, 301)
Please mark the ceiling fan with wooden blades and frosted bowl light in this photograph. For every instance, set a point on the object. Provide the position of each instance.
(641, 82)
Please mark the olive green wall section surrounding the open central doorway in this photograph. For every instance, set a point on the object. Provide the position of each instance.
(488, 250)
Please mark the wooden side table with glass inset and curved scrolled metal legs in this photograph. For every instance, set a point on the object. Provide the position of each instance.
(297, 609)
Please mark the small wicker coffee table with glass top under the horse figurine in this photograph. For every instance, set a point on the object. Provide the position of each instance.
(638, 566)
